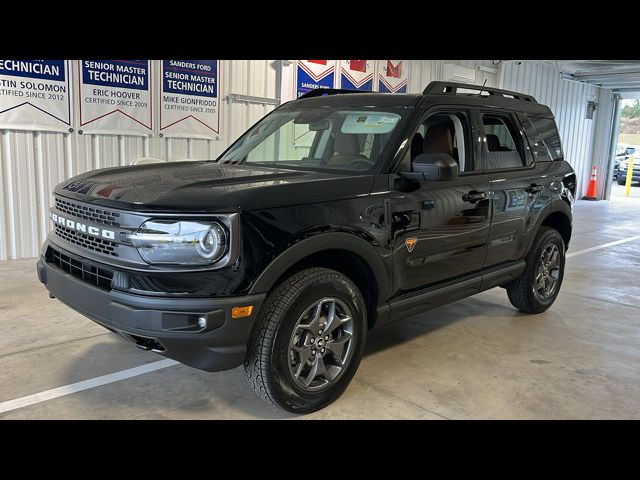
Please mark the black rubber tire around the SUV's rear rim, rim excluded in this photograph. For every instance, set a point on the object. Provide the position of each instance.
(521, 292)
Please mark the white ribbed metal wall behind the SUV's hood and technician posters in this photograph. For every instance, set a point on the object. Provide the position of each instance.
(32, 163)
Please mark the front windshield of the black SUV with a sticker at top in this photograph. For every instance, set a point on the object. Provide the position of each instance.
(324, 138)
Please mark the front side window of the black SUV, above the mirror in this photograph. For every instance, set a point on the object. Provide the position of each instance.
(444, 133)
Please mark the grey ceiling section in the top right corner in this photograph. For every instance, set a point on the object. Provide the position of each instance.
(621, 76)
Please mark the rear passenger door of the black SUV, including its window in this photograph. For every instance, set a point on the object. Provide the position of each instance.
(519, 192)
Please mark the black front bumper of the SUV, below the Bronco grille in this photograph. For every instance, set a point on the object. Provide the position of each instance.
(166, 325)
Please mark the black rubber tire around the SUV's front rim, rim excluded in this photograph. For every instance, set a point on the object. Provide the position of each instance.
(268, 354)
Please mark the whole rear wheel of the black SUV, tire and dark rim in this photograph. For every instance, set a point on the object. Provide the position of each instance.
(538, 286)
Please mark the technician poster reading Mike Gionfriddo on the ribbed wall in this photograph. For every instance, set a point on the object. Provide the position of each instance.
(190, 104)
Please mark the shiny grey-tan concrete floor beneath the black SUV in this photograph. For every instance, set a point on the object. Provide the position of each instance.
(476, 358)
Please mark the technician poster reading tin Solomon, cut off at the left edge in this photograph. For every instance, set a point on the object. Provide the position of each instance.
(35, 95)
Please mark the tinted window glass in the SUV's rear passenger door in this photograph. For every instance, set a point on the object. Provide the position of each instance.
(502, 142)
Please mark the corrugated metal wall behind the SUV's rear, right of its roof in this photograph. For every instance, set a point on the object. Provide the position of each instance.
(567, 100)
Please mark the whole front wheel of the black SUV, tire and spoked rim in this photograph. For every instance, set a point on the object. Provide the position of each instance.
(308, 340)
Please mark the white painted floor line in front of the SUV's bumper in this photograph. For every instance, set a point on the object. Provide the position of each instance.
(84, 385)
